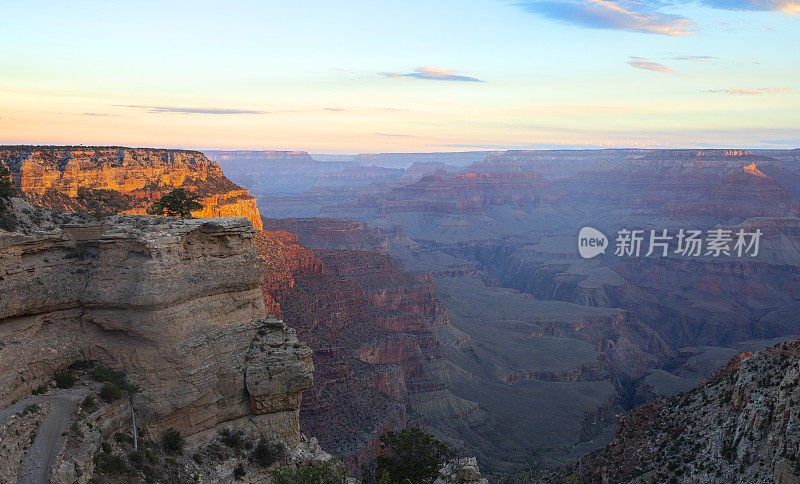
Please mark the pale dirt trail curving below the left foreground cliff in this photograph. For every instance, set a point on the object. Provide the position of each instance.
(41, 456)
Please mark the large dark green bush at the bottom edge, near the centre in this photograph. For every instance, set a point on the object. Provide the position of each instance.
(411, 454)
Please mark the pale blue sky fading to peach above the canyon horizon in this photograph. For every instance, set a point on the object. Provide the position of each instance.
(411, 76)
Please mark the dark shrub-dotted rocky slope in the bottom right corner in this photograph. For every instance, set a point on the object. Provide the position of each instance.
(741, 425)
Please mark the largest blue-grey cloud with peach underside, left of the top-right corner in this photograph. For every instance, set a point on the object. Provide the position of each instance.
(629, 15)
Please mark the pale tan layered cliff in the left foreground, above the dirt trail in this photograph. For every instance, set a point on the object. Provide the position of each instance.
(177, 304)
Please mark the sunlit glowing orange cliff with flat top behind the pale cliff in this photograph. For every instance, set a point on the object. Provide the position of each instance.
(63, 178)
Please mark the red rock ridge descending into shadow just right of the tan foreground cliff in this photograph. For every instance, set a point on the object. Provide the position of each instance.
(368, 323)
